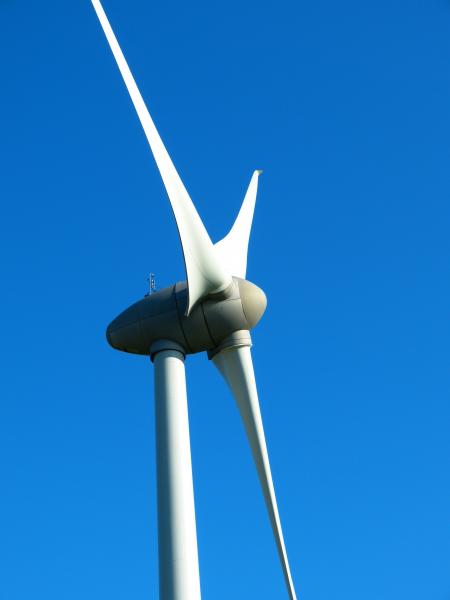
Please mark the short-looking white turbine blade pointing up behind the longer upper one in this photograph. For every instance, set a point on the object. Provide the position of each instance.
(233, 248)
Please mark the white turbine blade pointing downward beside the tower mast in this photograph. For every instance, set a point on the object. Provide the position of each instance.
(236, 366)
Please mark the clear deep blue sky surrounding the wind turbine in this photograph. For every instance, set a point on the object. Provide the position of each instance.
(346, 107)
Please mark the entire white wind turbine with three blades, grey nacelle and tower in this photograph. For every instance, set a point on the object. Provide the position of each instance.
(212, 311)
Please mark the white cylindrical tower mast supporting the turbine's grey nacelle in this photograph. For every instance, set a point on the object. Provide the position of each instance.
(177, 537)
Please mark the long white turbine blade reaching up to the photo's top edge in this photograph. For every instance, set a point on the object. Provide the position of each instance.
(204, 270)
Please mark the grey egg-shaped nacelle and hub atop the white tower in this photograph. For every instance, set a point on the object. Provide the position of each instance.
(161, 316)
